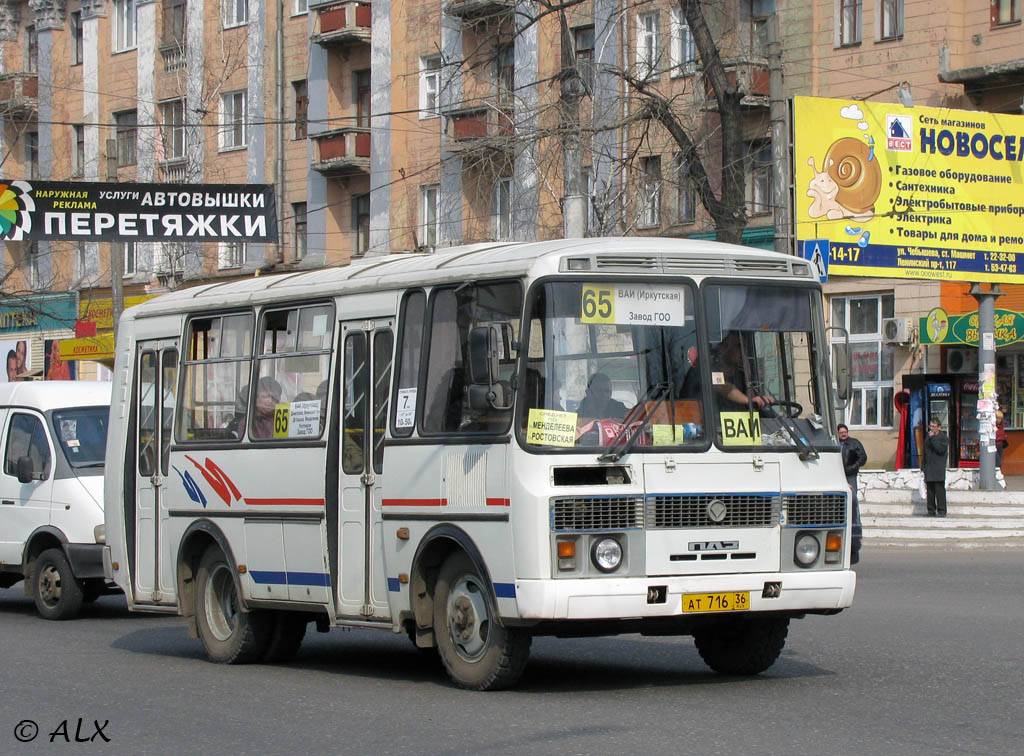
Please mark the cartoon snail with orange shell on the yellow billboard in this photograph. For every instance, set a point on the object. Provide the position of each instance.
(848, 185)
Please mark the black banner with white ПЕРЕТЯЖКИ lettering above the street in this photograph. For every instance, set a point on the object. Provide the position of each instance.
(137, 213)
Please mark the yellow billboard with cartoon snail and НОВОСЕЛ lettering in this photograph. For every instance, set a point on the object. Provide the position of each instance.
(910, 193)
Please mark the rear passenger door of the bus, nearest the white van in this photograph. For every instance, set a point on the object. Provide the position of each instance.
(157, 384)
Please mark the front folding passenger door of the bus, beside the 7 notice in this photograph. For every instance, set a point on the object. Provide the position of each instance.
(366, 376)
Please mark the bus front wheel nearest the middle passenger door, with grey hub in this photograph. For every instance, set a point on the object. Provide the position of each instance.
(479, 653)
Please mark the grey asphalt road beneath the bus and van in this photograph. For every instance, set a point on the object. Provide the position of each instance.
(928, 661)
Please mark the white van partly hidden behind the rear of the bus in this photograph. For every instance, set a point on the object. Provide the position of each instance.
(53, 444)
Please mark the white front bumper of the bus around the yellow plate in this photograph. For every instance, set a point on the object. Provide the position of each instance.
(611, 599)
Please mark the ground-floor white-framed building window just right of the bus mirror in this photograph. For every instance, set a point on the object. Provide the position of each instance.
(872, 402)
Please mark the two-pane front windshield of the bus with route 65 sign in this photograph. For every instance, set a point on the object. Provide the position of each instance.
(626, 365)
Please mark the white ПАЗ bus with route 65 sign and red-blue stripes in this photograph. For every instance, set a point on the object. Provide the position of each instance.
(426, 444)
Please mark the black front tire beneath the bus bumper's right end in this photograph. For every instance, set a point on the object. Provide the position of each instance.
(746, 647)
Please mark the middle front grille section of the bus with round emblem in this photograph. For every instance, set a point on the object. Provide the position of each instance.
(700, 511)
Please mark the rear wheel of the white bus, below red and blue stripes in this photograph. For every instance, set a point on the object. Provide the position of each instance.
(229, 635)
